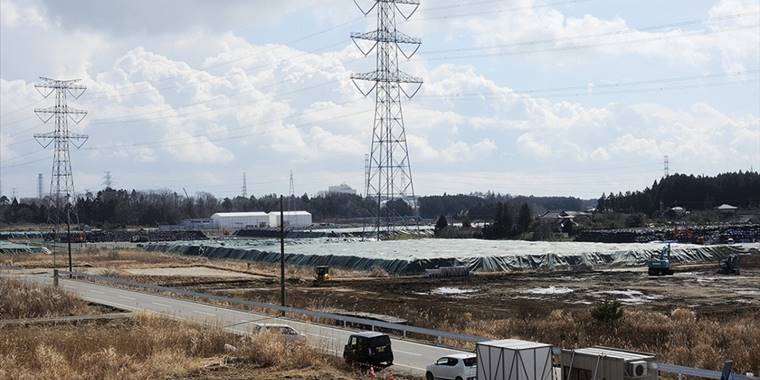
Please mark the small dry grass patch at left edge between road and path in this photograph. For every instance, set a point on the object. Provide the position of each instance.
(22, 300)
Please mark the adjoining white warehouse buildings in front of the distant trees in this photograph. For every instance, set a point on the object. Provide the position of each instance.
(233, 221)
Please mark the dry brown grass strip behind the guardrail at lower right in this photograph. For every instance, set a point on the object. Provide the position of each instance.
(679, 338)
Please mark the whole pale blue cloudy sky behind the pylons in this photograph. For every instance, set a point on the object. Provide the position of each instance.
(543, 97)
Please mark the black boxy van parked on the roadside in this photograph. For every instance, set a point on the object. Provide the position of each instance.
(369, 349)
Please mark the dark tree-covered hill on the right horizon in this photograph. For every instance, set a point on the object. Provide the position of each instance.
(741, 189)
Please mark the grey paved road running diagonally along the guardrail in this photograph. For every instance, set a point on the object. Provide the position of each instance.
(409, 356)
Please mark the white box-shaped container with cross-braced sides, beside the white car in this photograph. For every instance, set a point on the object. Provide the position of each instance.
(513, 359)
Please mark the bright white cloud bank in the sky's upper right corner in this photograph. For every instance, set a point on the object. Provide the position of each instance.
(548, 29)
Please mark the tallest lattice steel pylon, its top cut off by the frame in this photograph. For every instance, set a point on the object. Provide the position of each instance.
(389, 172)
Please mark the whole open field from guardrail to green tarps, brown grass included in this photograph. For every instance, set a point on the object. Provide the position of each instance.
(696, 317)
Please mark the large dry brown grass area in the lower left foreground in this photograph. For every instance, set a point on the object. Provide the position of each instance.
(147, 347)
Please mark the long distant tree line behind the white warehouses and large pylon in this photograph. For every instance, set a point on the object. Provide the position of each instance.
(119, 207)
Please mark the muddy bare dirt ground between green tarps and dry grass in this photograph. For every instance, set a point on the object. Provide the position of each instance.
(433, 302)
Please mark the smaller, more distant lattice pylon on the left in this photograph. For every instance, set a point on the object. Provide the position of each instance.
(61, 179)
